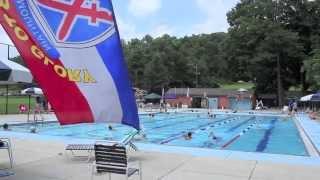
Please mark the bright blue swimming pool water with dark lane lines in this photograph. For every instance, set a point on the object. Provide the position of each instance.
(265, 134)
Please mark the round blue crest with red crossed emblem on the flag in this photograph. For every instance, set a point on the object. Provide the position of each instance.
(67, 22)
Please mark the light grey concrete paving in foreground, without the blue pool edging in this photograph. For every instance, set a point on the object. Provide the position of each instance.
(46, 160)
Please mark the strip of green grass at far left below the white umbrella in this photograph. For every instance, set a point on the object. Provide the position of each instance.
(14, 102)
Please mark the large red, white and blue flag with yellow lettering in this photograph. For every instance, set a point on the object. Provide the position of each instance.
(73, 50)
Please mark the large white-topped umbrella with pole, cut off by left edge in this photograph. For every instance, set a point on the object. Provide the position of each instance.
(13, 73)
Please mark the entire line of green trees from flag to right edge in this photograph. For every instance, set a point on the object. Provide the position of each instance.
(274, 44)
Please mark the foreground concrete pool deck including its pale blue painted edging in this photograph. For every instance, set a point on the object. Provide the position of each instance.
(39, 157)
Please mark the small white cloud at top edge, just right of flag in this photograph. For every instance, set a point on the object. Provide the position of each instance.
(143, 8)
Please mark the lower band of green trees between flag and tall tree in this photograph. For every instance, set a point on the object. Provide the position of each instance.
(170, 62)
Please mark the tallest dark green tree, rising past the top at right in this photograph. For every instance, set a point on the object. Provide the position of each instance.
(262, 31)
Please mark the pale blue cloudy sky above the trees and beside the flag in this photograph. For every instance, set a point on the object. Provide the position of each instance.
(137, 18)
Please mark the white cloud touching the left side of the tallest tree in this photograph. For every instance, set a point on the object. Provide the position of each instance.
(216, 19)
